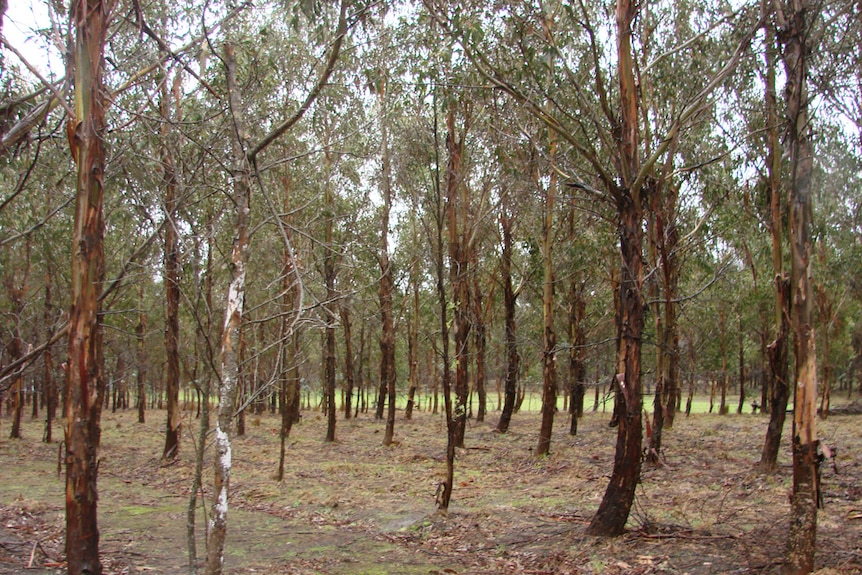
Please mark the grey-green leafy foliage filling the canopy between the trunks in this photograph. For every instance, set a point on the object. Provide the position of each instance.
(558, 58)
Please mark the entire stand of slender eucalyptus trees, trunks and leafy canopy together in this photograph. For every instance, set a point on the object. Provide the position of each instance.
(441, 198)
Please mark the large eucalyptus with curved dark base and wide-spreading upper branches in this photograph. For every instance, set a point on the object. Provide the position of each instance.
(593, 126)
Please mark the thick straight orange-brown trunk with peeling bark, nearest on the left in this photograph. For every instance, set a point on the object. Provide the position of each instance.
(85, 385)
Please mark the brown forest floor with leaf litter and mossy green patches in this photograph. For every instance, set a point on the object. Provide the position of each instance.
(355, 507)
